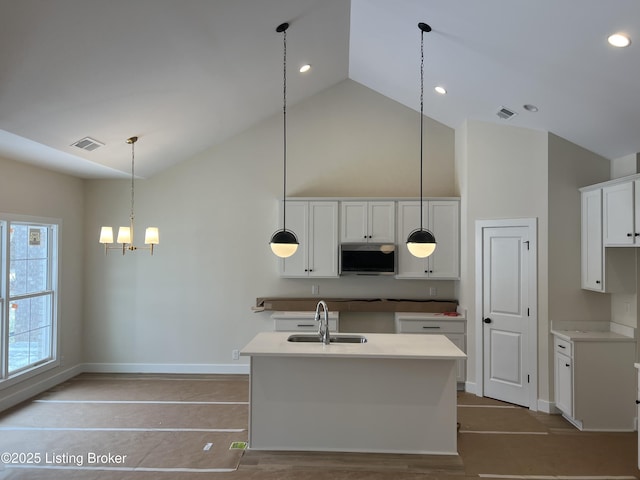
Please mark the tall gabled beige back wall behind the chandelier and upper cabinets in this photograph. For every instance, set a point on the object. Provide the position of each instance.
(189, 305)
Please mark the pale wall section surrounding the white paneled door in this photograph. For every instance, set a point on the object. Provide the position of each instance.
(503, 174)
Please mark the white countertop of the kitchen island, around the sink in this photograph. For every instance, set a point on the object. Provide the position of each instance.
(378, 345)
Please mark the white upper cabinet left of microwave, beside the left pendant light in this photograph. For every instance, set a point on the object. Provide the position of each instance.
(316, 225)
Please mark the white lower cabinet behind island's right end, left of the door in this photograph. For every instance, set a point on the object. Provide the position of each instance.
(452, 327)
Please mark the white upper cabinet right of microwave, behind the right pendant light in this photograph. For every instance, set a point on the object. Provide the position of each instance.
(442, 218)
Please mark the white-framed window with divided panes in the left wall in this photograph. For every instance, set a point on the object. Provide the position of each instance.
(28, 296)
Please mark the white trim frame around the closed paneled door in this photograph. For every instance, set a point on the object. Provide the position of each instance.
(532, 326)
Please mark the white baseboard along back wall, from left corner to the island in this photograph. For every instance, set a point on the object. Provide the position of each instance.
(198, 368)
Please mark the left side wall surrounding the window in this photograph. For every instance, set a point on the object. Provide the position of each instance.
(29, 190)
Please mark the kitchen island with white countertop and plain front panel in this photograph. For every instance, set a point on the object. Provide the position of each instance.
(396, 393)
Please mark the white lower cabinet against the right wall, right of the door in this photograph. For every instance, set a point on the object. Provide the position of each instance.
(595, 382)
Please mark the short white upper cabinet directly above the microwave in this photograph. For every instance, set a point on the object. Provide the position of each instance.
(367, 222)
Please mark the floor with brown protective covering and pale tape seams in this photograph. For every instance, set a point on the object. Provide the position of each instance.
(183, 427)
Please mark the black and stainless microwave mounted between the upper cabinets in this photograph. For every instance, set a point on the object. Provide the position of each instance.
(367, 259)
